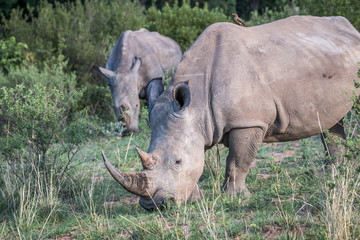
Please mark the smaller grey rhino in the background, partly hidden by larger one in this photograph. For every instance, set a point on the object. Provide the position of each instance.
(137, 58)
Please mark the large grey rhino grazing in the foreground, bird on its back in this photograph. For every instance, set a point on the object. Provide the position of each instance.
(243, 86)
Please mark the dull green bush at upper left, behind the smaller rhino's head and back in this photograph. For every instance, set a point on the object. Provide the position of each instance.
(83, 33)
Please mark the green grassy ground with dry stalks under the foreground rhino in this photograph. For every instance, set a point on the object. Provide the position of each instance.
(292, 198)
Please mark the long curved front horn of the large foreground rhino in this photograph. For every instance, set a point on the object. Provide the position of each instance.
(137, 184)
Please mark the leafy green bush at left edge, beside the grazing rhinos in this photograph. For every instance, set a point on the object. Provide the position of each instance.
(35, 127)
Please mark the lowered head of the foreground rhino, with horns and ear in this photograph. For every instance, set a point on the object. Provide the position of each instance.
(175, 158)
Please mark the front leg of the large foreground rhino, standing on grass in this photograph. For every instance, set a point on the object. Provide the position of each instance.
(243, 146)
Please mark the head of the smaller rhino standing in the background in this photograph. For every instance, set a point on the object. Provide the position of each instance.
(125, 89)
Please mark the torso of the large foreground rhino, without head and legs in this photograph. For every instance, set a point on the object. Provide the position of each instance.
(282, 77)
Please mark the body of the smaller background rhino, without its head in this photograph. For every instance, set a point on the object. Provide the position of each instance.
(157, 53)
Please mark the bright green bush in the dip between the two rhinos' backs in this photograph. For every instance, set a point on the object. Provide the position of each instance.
(183, 24)
